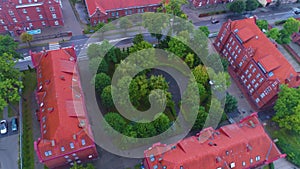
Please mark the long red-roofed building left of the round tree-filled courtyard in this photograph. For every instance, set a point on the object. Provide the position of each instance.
(66, 135)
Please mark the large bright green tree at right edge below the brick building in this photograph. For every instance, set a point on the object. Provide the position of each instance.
(287, 109)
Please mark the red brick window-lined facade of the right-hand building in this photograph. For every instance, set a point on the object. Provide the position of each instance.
(251, 79)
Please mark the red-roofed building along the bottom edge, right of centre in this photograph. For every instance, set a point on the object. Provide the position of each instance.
(242, 145)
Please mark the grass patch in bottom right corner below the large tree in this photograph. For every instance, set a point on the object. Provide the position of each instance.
(288, 143)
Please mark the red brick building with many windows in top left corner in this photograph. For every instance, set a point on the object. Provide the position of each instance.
(17, 16)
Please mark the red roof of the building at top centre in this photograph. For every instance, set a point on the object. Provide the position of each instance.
(114, 5)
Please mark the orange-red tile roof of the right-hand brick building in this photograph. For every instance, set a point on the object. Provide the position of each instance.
(264, 50)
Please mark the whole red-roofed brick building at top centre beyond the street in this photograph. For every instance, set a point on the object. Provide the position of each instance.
(102, 11)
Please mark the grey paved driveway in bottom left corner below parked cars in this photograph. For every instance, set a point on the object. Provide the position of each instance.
(9, 152)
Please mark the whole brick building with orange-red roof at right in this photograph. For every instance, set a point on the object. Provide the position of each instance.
(255, 63)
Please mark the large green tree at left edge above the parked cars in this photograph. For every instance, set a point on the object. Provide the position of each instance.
(9, 81)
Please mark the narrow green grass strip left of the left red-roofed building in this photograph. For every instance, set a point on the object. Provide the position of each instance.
(29, 82)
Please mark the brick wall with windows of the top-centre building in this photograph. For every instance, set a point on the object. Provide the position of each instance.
(100, 17)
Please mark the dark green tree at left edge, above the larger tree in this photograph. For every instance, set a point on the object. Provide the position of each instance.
(9, 46)
